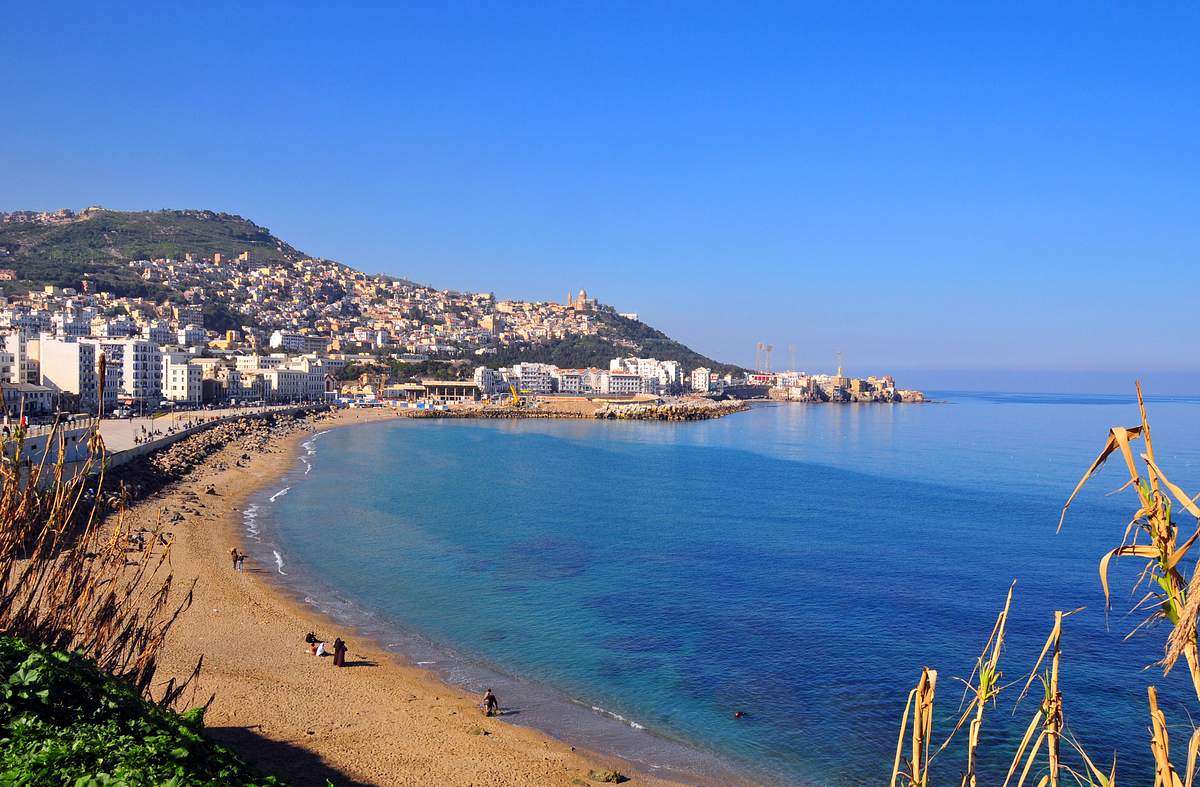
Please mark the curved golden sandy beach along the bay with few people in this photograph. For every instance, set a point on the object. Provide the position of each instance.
(296, 716)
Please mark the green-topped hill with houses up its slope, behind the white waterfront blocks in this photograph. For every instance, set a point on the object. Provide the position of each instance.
(64, 248)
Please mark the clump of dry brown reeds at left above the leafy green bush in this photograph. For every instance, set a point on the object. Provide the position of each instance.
(70, 580)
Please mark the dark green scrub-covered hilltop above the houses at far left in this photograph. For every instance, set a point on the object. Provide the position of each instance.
(100, 243)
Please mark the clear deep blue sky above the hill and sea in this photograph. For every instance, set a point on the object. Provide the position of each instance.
(923, 187)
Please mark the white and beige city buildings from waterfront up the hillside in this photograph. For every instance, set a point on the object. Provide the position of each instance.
(278, 332)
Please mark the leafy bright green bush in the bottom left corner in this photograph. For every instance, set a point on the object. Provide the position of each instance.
(65, 723)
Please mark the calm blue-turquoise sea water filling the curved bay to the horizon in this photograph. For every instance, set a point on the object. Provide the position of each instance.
(631, 586)
